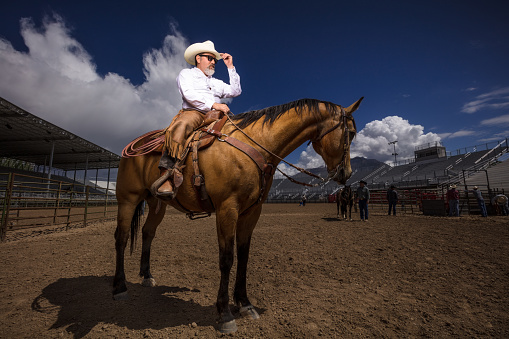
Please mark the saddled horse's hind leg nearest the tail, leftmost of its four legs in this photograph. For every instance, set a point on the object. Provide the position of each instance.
(126, 213)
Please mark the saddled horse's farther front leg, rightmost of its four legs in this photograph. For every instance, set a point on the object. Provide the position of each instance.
(245, 227)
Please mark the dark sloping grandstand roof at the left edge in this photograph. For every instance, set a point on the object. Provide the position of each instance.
(29, 138)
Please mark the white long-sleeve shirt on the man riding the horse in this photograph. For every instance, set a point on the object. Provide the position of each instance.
(200, 92)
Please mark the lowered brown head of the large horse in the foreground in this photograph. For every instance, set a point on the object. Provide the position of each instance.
(333, 142)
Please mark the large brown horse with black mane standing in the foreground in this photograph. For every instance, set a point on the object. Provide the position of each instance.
(233, 185)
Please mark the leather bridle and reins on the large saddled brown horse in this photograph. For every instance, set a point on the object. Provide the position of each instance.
(332, 175)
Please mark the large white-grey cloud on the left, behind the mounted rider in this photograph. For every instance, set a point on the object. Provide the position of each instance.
(57, 81)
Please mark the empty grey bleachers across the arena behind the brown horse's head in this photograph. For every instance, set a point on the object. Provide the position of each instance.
(413, 174)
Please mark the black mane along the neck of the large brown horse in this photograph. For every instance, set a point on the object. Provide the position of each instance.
(271, 114)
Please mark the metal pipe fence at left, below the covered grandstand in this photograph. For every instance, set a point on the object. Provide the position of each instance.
(30, 202)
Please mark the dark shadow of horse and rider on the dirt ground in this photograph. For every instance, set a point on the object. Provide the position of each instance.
(84, 302)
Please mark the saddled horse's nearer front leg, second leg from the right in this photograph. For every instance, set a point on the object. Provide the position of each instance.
(226, 221)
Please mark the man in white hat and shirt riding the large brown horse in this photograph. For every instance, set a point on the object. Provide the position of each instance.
(201, 93)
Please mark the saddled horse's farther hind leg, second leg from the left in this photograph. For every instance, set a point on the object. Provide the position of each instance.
(149, 231)
